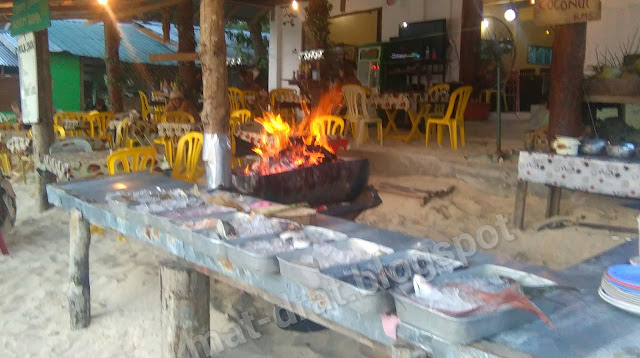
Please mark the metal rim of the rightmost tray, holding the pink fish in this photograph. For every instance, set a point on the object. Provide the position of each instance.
(463, 330)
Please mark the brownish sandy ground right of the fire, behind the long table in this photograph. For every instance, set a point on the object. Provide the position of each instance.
(469, 209)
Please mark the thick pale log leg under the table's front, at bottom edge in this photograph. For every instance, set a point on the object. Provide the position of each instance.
(184, 311)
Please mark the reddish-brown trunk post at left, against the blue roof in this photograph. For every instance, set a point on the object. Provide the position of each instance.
(112, 51)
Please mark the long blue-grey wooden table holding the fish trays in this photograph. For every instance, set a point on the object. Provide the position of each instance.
(586, 325)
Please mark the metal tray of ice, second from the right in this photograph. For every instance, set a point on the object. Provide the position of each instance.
(355, 282)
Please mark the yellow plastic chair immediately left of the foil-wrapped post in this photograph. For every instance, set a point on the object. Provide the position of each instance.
(187, 158)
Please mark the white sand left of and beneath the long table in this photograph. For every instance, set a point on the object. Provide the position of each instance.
(125, 297)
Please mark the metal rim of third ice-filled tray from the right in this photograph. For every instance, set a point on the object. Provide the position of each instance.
(311, 277)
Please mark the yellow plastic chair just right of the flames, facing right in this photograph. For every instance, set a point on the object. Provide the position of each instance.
(357, 113)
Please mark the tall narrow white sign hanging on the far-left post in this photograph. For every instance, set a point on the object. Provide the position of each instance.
(28, 78)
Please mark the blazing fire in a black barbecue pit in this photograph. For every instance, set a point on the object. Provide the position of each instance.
(297, 163)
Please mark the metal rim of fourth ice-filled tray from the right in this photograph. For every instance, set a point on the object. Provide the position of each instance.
(268, 264)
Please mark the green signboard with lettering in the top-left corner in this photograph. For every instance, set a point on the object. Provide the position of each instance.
(29, 15)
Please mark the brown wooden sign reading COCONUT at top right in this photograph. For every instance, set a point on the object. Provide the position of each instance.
(557, 12)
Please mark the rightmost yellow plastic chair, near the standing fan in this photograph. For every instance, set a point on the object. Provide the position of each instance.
(453, 118)
